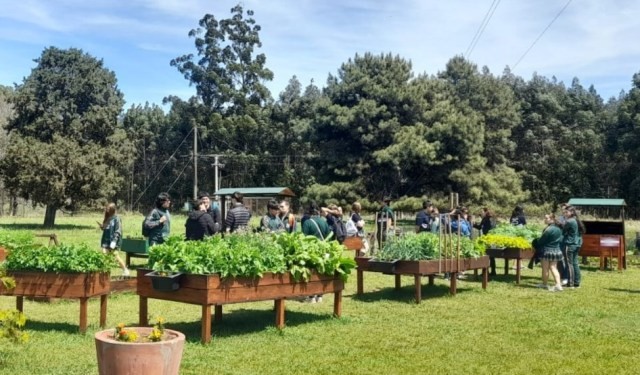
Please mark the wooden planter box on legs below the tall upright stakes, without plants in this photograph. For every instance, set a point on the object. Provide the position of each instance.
(430, 268)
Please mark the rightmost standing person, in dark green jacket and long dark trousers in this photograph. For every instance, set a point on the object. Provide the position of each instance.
(572, 230)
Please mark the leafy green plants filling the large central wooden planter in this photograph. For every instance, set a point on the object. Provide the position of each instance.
(252, 255)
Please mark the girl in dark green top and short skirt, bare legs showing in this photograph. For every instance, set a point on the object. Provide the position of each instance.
(549, 244)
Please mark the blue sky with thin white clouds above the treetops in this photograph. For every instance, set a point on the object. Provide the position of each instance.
(594, 40)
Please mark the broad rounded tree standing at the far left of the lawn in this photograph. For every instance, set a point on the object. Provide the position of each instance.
(66, 147)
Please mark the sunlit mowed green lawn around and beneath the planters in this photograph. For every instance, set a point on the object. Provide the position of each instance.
(507, 329)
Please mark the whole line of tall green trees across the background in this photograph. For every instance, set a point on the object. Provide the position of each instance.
(375, 129)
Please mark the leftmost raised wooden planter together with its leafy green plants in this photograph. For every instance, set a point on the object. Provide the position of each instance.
(61, 271)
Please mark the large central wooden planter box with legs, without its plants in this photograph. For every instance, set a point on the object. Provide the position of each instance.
(208, 290)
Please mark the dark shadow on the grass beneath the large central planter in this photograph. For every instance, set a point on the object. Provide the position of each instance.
(246, 321)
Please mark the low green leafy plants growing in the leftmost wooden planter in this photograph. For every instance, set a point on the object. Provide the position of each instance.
(59, 258)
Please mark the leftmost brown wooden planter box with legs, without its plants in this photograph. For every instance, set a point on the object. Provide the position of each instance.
(62, 285)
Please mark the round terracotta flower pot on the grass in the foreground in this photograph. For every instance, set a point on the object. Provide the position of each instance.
(120, 358)
